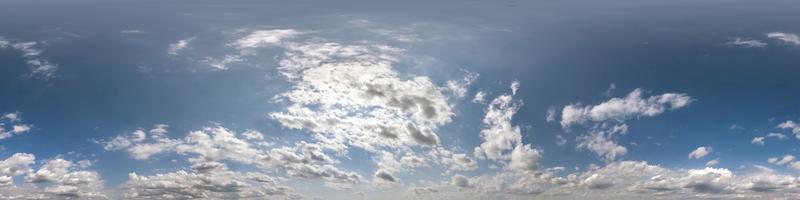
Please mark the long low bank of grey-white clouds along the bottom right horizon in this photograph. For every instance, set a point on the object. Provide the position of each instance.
(635, 180)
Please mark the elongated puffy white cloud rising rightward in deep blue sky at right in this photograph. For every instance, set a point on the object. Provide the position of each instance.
(621, 109)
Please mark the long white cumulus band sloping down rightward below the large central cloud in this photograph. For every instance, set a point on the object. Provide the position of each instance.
(217, 143)
